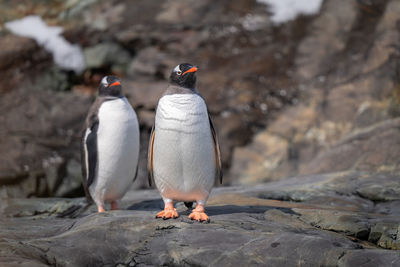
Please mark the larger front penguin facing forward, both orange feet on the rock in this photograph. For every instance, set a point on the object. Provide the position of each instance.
(184, 157)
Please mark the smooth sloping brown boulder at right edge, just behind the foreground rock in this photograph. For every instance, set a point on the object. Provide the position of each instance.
(369, 149)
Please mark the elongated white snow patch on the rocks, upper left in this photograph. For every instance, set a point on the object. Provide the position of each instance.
(65, 55)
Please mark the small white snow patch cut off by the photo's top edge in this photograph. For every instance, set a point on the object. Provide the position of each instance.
(285, 10)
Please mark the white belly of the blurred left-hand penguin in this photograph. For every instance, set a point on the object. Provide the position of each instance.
(117, 150)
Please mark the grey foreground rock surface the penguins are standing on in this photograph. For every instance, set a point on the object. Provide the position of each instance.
(319, 220)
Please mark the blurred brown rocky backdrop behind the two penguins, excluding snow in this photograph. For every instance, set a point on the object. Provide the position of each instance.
(315, 94)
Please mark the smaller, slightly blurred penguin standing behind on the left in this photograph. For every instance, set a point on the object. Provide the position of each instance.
(110, 145)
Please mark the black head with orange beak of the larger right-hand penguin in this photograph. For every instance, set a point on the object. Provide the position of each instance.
(184, 75)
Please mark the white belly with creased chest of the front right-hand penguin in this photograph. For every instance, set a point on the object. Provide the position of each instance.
(183, 151)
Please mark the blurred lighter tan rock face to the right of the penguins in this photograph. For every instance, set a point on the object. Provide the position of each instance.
(345, 116)
